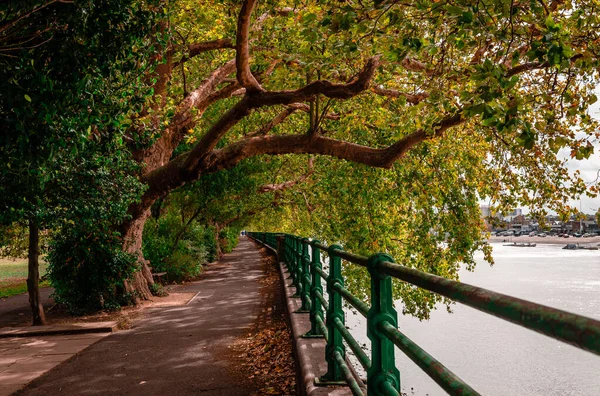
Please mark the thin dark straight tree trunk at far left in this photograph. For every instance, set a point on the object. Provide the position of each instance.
(33, 275)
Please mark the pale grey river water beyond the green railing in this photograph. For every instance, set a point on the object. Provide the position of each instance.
(499, 358)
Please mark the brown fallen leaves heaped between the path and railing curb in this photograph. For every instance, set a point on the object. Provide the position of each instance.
(266, 352)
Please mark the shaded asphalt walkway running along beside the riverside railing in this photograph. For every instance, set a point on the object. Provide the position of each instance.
(173, 351)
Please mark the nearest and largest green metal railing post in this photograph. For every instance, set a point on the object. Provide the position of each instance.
(383, 371)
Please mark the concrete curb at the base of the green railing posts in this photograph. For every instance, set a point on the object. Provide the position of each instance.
(309, 353)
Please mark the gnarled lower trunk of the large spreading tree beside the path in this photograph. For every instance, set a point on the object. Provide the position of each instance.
(139, 284)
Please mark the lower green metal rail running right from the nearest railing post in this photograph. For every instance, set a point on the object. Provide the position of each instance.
(437, 371)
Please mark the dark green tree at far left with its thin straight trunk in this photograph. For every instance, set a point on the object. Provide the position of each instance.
(61, 109)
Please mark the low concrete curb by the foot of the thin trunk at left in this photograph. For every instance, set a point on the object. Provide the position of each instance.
(70, 329)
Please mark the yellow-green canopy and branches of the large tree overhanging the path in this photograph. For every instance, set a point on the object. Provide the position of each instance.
(409, 113)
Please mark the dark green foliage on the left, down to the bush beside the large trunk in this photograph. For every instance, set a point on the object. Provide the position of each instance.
(70, 75)
